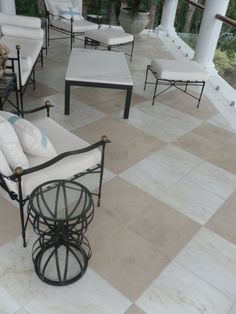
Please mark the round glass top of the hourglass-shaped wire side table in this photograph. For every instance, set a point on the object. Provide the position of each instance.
(60, 200)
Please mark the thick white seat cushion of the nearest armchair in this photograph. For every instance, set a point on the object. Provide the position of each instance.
(65, 168)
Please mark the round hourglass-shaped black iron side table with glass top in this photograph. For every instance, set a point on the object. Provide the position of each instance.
(60, 212)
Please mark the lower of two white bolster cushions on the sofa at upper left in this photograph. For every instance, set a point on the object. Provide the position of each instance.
(20, 31)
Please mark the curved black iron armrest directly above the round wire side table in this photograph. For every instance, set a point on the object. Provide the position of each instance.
(19, 172)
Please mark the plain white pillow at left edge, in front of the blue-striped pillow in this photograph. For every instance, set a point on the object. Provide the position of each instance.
(10, 146)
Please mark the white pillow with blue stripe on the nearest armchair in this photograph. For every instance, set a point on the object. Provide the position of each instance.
(33, 140)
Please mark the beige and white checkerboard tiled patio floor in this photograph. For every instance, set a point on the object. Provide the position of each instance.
(164, 239)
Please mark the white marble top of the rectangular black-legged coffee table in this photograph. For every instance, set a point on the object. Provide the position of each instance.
(96, 66)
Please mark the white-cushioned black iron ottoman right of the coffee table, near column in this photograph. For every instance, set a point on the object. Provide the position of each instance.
(174, 73)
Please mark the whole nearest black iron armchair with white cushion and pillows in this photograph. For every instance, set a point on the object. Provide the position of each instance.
(33, 153)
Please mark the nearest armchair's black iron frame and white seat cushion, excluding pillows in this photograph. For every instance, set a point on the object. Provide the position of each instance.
(75, 158)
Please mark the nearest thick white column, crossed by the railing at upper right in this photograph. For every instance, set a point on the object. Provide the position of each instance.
(209, 33)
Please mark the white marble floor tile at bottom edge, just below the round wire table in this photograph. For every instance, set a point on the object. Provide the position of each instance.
(90, 295)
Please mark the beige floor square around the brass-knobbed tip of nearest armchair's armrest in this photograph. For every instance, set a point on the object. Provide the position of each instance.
(128, 144)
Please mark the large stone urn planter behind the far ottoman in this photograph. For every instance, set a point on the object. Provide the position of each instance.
(133, 23)
